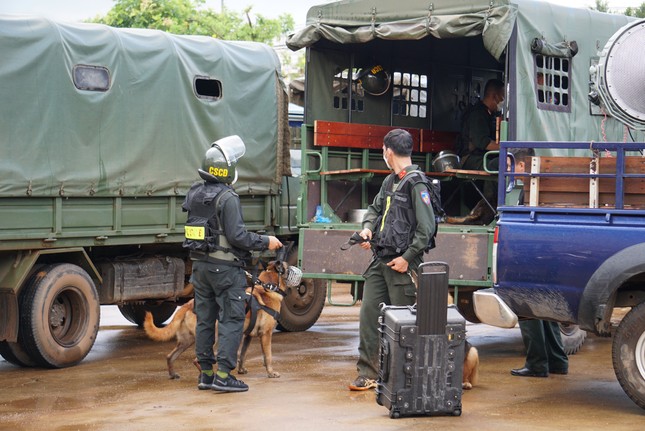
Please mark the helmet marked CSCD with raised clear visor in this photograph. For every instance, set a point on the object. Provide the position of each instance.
(221, 158)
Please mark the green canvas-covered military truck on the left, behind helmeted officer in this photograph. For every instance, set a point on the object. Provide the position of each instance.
(102, 131)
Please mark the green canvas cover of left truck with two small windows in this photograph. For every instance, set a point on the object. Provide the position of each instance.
(162, 99)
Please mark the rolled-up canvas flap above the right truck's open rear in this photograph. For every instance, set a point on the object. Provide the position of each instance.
(354, 21)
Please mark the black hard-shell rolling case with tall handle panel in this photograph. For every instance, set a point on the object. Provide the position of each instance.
(422, 351)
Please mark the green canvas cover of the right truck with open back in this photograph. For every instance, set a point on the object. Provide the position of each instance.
(508, 30)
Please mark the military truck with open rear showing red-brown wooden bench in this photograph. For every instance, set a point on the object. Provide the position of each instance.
(377, 65)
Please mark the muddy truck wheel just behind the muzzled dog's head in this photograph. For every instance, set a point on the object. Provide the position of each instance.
(302, 306)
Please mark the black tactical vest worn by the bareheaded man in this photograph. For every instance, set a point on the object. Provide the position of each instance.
(395, 228)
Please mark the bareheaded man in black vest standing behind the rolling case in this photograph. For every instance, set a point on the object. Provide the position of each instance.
(399, 226)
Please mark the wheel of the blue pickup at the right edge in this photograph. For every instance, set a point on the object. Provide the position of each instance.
(628, 354)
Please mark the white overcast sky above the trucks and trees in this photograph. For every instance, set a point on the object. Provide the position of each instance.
(78, 10)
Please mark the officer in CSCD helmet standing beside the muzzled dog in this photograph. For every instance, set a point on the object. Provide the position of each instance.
(219, 247)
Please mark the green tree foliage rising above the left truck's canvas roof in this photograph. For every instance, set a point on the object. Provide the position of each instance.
(190, 17)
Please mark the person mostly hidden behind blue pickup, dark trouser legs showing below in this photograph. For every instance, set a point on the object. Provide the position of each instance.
(542, 339)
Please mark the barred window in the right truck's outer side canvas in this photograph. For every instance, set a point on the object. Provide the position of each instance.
(552, 83)
